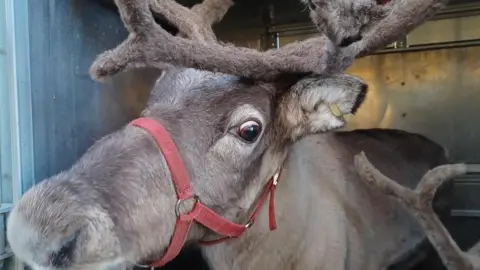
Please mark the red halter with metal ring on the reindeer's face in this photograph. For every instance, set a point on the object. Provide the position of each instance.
(200, 213)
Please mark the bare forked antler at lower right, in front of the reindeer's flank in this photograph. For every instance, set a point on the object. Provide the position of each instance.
(419, 202)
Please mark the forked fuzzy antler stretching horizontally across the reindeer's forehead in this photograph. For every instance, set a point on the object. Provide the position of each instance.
(150, 45)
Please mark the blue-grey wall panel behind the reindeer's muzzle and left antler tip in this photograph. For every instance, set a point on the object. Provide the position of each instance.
(70, 110)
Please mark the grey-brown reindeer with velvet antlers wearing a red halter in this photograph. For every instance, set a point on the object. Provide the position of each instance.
(227, 130)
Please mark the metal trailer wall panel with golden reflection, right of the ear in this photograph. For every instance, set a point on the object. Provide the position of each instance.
(435, 93)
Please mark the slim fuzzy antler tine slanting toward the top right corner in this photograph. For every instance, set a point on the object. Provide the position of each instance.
(402, 16)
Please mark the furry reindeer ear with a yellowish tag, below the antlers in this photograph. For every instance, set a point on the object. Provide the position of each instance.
(316, 105)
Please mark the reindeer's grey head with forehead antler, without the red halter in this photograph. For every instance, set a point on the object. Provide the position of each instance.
(116, 205)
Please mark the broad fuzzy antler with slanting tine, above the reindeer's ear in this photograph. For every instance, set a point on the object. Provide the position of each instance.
(360, 27)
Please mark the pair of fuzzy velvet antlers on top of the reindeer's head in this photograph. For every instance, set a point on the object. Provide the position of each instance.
(352, 27)
